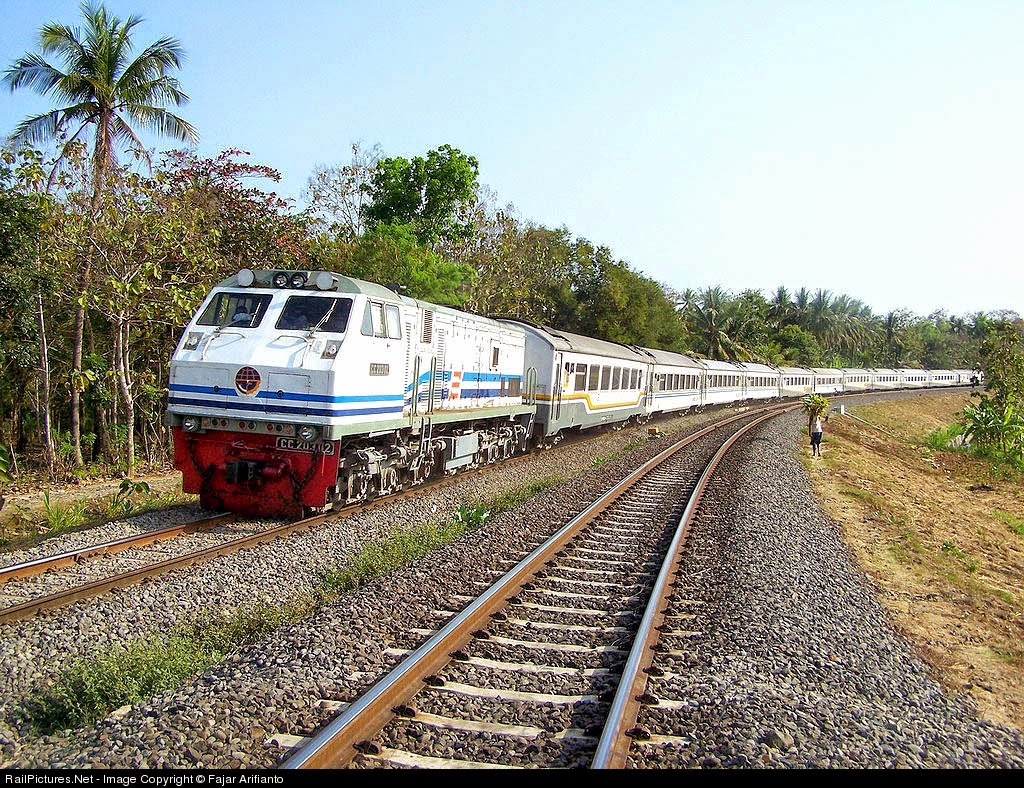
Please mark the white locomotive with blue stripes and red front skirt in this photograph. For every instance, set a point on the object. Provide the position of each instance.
(293, 391)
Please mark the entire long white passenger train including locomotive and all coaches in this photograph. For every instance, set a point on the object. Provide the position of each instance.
(296, 391)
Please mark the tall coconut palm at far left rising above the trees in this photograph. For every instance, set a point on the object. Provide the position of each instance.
(102, 90)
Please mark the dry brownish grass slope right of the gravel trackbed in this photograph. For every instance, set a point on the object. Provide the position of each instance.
(943, 538)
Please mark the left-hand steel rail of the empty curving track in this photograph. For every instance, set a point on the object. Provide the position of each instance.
(335, 746)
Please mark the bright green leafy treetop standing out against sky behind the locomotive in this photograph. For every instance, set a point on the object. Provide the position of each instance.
(431, 195)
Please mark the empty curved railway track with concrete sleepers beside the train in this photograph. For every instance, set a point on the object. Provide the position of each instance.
(546, 669)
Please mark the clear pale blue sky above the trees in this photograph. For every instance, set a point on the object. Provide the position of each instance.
(874, 149)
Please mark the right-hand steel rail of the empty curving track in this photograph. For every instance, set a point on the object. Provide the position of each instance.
(613, 748)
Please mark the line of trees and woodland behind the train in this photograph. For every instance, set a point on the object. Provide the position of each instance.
(96, 285)
